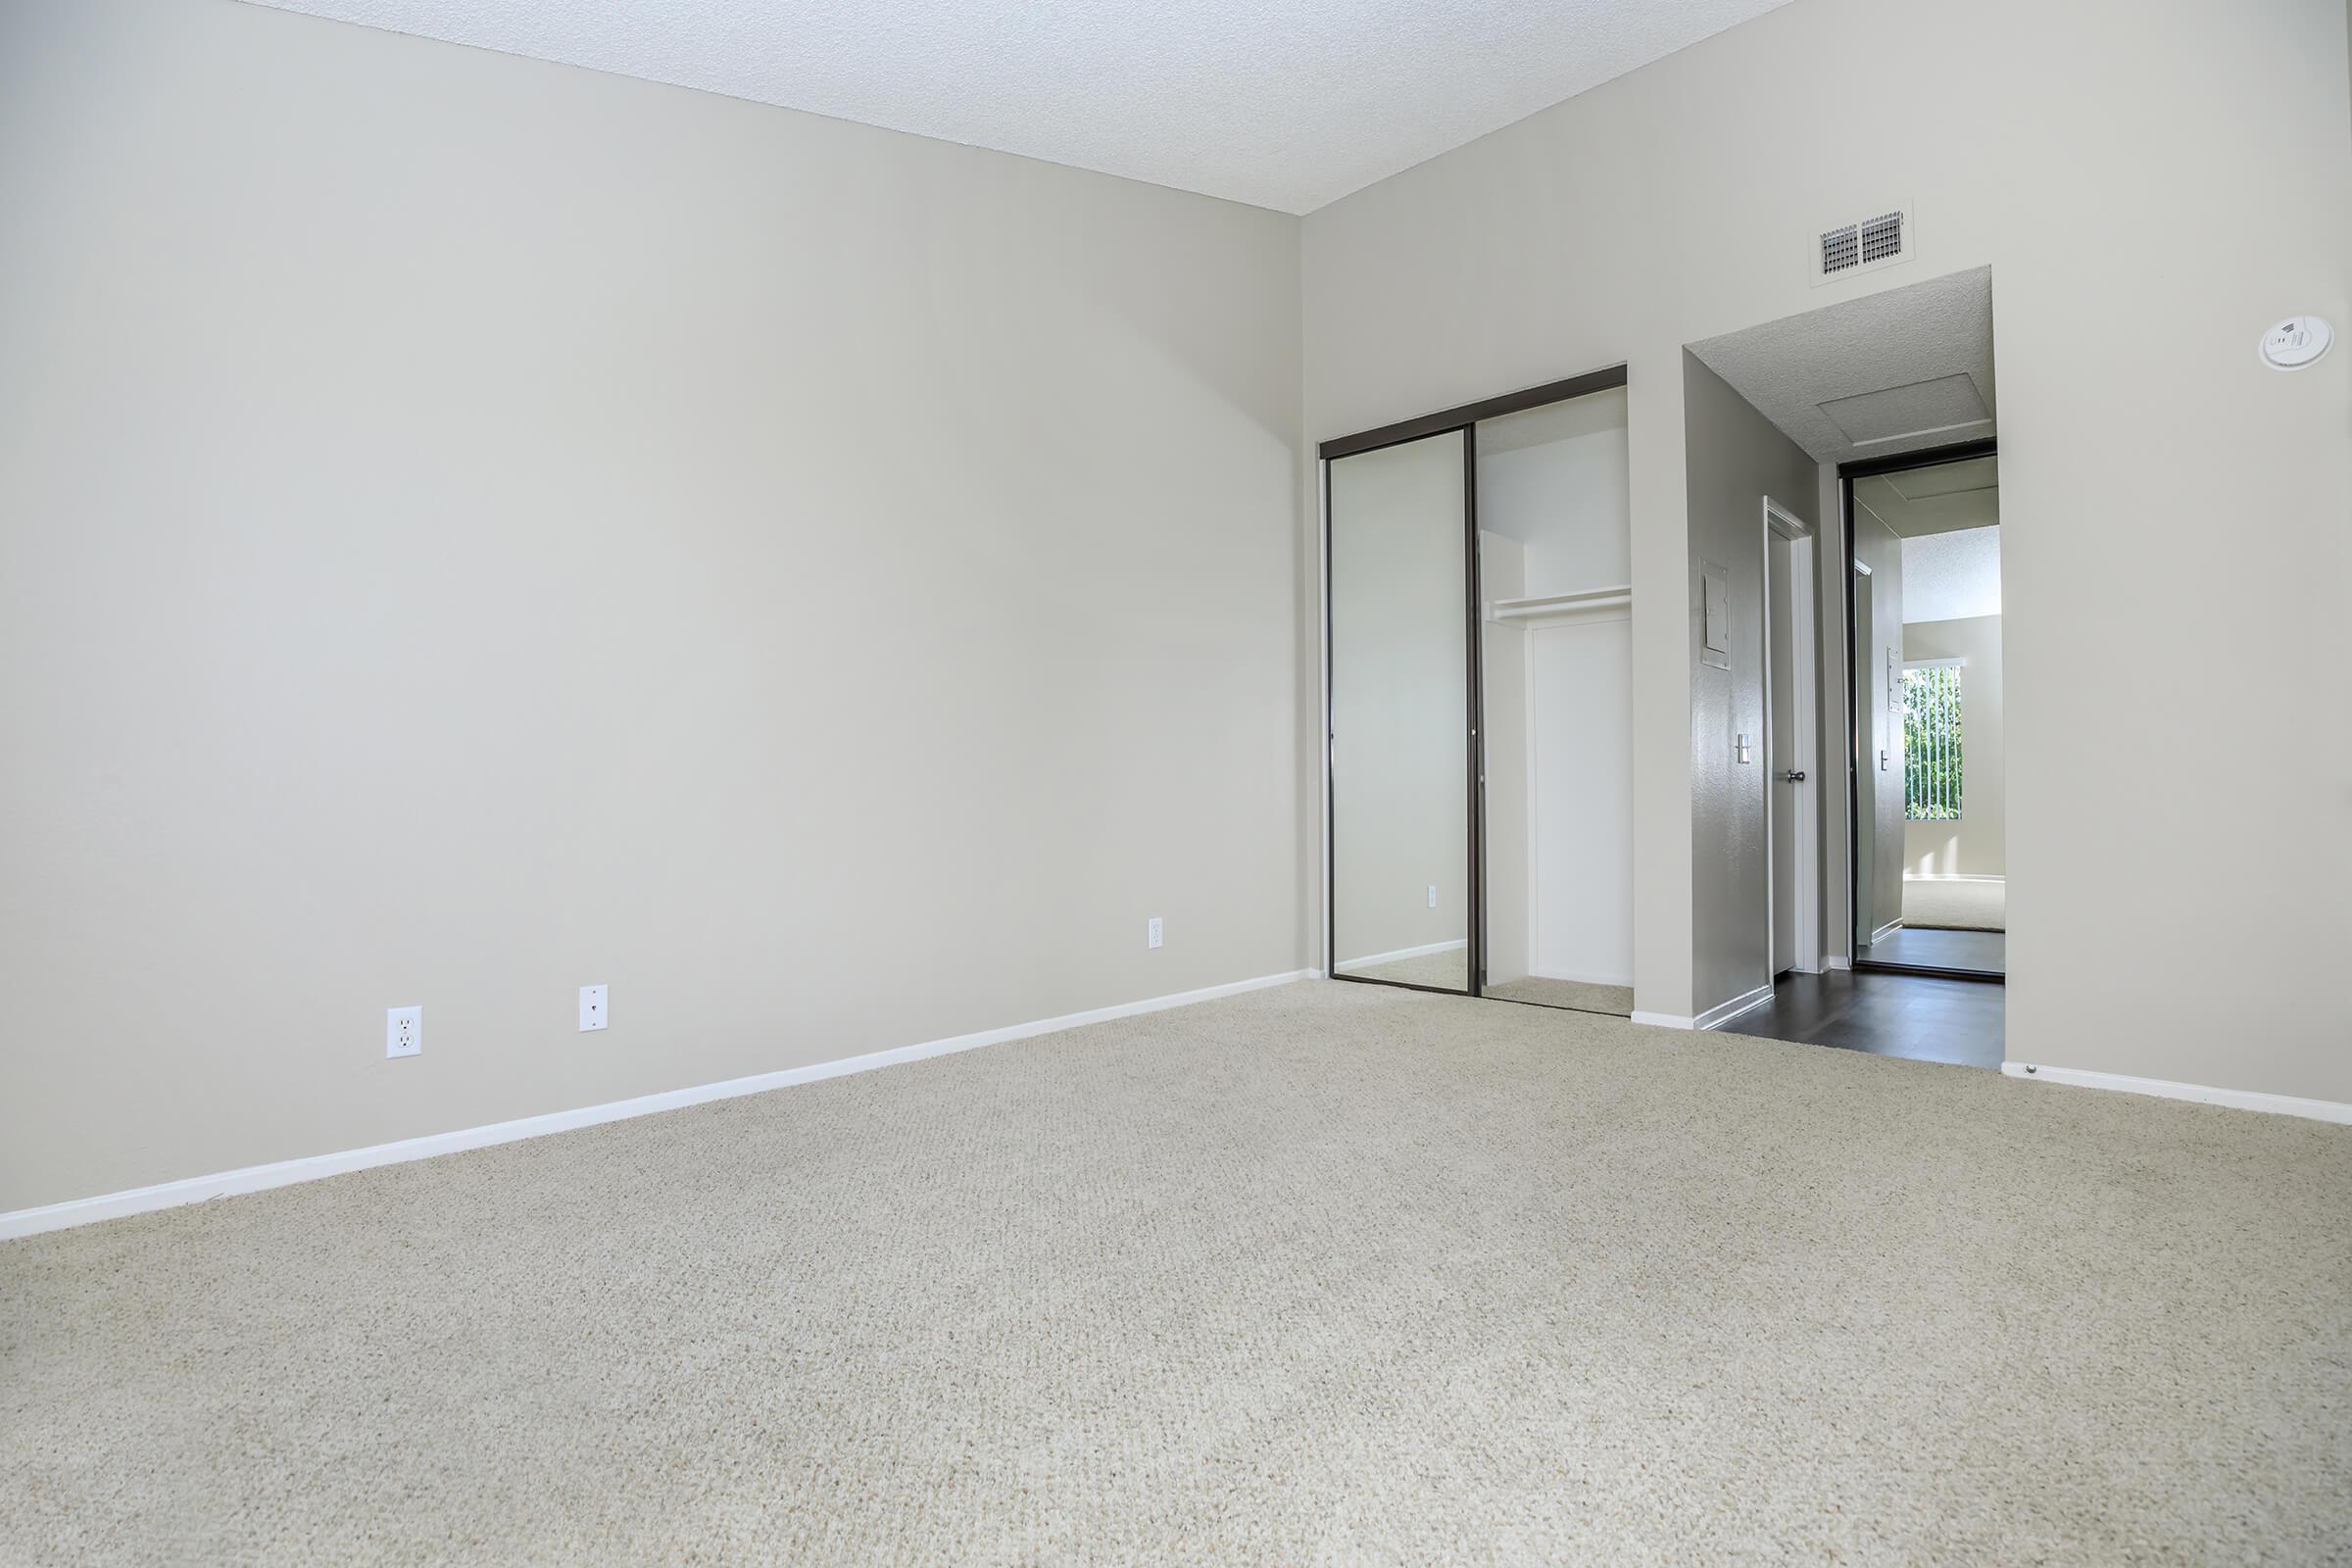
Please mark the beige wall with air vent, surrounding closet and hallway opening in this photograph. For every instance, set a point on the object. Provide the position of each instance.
(1676, 203)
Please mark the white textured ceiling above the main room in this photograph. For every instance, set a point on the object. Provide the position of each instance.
(1285, 105)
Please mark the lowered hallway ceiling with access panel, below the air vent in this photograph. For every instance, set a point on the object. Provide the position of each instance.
(1871, 377)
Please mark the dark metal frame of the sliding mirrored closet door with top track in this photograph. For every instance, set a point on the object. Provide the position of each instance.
(1445, 422)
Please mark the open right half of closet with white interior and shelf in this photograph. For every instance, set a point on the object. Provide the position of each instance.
(1556, 565)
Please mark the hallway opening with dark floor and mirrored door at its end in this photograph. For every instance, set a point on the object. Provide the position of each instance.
(1878, 417)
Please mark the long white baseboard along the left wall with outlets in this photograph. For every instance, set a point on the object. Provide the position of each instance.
(288, 1172)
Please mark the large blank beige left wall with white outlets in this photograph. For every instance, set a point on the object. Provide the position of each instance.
(476, 528)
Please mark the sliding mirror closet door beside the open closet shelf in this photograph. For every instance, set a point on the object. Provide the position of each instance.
(1401, 713)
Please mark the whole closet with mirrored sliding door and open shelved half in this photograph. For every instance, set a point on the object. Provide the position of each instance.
(1478, 575)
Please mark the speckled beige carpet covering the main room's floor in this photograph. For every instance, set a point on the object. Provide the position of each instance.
(1328, 1273)
